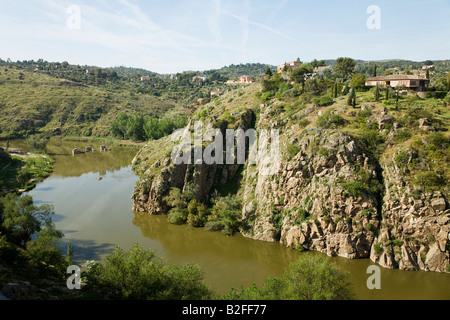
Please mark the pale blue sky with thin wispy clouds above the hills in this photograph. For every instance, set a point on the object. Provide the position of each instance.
(179, 35)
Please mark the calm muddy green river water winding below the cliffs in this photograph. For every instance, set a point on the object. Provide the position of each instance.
(96, 216)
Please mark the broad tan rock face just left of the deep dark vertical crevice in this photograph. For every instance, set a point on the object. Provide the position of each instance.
(317, 213)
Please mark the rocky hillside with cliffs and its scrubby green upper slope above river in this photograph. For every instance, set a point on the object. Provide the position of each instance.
(363, 182)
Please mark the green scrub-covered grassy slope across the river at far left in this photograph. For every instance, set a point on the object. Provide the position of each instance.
(29, 99)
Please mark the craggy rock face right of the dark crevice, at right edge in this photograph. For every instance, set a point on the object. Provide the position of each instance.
(415, 232)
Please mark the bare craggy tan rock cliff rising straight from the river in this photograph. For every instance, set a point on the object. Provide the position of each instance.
(331, 193)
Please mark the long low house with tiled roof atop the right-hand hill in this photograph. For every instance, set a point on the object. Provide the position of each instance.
(410, 82)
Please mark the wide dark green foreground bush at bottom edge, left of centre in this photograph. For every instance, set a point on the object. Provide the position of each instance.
(138, 274)
